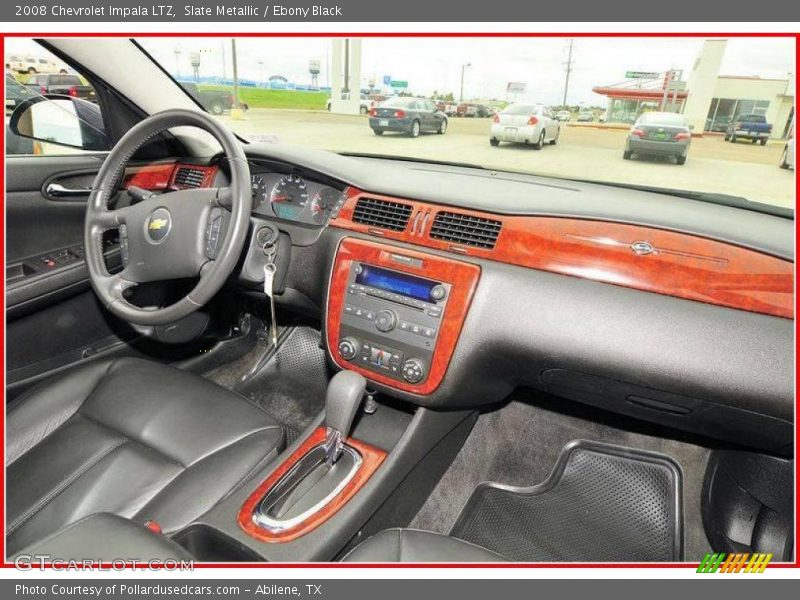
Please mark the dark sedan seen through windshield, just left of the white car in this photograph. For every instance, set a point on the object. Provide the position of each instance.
(407, 115)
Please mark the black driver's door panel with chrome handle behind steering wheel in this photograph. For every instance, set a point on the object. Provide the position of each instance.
(53, 318)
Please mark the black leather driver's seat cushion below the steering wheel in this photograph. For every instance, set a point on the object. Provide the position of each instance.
(129, 437)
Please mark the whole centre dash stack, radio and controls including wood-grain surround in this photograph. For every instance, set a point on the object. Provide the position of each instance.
(394, 315)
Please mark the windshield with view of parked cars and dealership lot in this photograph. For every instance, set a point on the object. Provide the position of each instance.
(324, 93)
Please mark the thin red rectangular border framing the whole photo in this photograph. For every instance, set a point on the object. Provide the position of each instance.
(364, 34)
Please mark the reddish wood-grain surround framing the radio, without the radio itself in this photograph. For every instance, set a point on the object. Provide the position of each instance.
(462, 276)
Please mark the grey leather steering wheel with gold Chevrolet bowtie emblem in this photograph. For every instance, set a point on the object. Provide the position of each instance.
(168, 236)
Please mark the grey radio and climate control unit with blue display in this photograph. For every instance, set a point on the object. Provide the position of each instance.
(390, 321)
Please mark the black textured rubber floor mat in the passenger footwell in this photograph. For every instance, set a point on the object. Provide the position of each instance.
(601, 503)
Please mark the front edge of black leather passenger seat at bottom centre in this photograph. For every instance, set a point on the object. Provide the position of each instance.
(412, 545)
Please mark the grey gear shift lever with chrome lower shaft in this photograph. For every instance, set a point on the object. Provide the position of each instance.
(342, 400)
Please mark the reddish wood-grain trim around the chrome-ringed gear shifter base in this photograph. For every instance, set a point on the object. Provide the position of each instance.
(371, 459)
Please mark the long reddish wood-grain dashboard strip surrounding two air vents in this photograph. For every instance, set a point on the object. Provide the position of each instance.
(681, 265)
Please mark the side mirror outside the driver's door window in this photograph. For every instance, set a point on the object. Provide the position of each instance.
(62, 120)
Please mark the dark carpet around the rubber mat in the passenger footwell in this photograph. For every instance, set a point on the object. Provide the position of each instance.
(519, 443)
